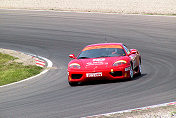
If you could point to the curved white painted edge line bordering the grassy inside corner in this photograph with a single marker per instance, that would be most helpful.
(50, 64)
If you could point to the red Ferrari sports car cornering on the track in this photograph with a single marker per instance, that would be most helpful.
(109, 61)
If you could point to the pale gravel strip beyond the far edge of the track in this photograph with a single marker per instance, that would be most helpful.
(117, 6)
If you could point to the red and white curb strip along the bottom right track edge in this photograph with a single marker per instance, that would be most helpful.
(130, 110)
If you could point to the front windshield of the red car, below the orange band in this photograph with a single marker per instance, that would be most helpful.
(101, 52)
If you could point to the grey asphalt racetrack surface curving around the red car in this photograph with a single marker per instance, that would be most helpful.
(55, 35)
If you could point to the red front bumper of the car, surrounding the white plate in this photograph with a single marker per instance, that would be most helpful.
(107, 74)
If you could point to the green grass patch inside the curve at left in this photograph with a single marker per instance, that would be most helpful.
(11, 71)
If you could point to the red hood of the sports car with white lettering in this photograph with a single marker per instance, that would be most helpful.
(98, 63)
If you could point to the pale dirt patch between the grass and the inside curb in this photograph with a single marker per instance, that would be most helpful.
(22, 58)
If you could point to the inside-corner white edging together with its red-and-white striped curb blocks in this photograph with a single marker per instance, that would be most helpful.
(48, 64)
